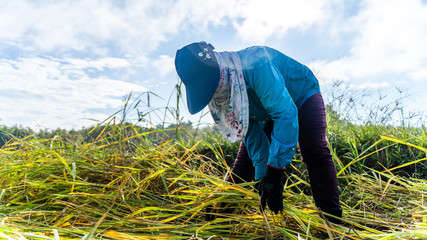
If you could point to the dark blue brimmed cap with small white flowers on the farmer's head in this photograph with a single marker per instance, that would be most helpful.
(198, 69)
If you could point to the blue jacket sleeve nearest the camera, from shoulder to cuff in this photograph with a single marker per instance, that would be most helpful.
(269, 86)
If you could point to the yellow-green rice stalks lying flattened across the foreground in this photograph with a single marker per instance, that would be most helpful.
(123, 186)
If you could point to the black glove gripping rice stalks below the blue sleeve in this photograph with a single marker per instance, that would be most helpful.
(271, 190)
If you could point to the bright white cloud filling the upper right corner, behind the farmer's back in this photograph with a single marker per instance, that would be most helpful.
(391, 38)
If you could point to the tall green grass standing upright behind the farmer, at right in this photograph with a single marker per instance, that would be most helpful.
(359, 123)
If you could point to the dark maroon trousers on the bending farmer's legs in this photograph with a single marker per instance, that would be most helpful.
(315, 154)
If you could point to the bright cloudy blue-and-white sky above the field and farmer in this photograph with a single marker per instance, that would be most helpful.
(70, 64)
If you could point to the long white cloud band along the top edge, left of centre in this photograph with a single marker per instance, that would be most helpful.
(135, 27)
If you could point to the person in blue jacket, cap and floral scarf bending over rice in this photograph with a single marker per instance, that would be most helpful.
(271, 102)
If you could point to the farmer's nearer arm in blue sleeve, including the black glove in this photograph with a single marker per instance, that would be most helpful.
(269, 85)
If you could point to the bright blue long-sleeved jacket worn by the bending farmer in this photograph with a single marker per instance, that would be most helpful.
(277, 86)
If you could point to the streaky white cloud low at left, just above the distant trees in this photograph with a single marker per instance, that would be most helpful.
(59, 92)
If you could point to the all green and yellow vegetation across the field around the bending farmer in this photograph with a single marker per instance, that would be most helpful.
(136, 180)
